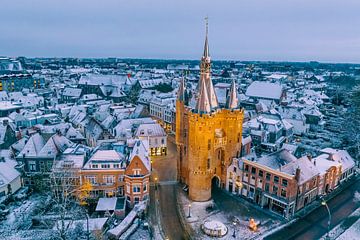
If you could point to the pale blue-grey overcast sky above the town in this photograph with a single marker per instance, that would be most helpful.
(289, 30)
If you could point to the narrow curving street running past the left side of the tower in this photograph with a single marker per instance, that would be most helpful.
(164, 176)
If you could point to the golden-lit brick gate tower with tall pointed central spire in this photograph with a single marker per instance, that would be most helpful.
(207, 136)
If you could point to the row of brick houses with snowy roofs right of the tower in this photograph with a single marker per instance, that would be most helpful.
(283, 183)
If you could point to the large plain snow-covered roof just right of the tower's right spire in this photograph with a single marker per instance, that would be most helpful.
(265, 90)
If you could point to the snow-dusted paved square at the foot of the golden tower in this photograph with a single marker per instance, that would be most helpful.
(226, 210)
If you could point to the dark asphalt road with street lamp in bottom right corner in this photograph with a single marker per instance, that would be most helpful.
(314, 225)
